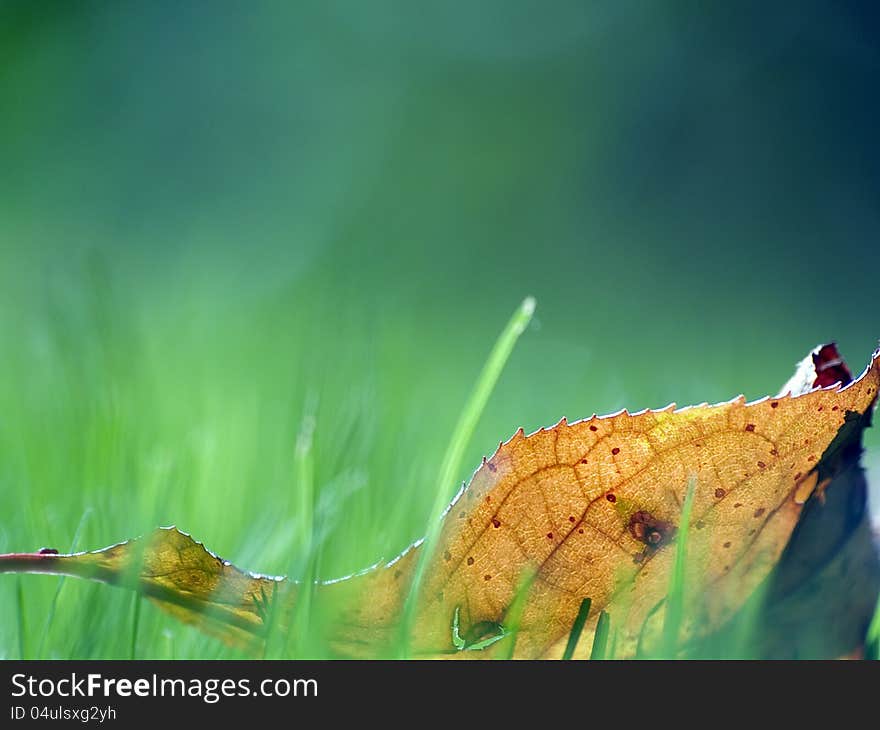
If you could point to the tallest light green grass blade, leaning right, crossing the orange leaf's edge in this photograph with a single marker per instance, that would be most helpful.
(452, 459)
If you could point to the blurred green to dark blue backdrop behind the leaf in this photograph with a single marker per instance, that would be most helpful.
(218, 219)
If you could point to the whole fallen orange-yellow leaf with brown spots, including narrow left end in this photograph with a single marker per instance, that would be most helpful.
(586, 510)
